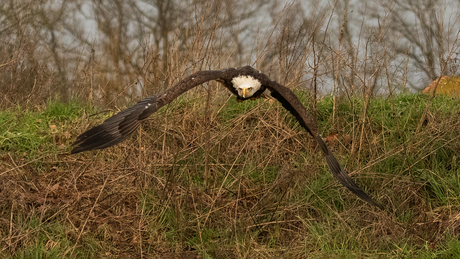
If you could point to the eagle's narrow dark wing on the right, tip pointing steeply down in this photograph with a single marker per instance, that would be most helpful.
(290, 101)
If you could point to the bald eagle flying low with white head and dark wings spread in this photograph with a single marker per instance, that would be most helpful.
(245, 83)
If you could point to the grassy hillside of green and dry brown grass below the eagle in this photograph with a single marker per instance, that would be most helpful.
(233, 180)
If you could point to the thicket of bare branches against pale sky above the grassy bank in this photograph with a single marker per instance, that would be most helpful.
(100, 50)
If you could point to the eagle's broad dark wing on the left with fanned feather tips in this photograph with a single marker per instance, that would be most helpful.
(120, 126)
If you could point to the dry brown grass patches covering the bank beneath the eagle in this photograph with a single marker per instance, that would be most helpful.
(158, 195)
